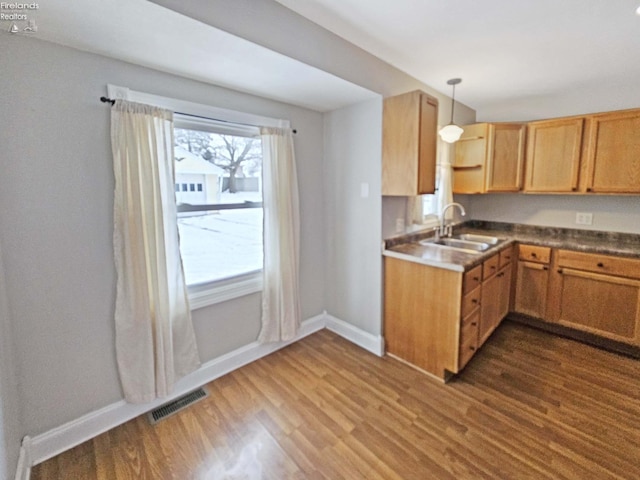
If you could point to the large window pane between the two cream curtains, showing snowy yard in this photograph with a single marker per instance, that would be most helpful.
(220, 215)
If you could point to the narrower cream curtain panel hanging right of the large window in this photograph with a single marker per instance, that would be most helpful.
(280, 294)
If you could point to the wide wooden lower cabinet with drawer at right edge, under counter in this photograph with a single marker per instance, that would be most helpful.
(599, 294)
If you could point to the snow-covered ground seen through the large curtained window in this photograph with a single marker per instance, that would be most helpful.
(223, 244)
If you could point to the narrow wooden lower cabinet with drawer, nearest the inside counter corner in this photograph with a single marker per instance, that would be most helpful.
(532, 281)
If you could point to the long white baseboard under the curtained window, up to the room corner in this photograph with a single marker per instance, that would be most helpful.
(71, 434)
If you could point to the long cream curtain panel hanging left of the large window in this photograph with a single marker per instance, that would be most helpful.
(155, 341)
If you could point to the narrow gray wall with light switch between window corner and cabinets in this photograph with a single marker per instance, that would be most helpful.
(353, 143)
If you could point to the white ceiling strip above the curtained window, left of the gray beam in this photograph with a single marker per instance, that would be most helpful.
(140, 32)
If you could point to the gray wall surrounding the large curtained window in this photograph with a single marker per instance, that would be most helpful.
(56, 223)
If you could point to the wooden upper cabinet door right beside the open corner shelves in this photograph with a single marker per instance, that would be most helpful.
(506, 157)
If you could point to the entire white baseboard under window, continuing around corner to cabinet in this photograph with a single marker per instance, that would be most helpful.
(53, 442)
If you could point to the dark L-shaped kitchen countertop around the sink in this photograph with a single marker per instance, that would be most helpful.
(407, 247)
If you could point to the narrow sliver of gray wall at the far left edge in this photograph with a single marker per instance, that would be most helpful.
(10, 434)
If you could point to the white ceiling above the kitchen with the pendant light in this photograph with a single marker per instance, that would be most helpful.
(502, 49)
